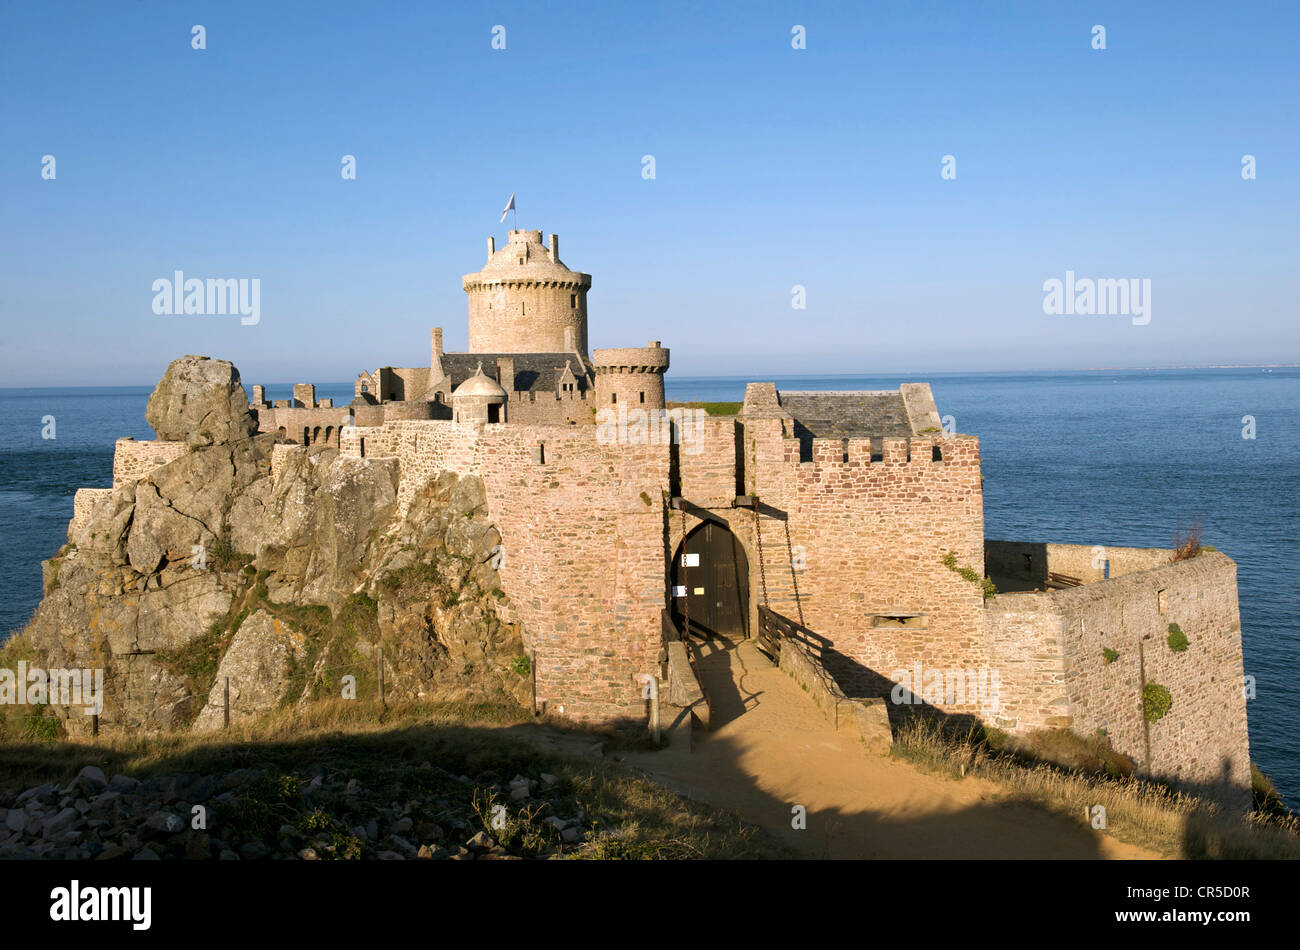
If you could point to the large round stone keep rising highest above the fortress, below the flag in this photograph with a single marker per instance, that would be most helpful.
(526, 301)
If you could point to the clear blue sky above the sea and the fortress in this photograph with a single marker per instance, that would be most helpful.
(774, 168)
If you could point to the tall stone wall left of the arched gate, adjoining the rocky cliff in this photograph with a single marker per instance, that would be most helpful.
(583, 549)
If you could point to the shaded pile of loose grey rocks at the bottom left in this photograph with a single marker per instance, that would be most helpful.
(319, 814)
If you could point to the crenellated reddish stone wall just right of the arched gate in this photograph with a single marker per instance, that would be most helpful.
(865, 541)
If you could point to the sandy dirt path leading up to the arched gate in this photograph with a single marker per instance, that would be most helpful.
(772, 749)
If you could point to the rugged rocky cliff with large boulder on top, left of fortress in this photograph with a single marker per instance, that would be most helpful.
(213, 569)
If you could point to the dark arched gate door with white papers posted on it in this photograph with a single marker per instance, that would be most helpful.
(710, 584)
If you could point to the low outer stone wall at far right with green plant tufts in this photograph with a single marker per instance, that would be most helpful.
(1059, 639)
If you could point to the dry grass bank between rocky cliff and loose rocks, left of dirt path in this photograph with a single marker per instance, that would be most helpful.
(388, 748)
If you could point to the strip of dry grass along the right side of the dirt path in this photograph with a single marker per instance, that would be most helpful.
(1141, 813)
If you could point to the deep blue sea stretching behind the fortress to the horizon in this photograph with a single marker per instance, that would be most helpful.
(1112, 458)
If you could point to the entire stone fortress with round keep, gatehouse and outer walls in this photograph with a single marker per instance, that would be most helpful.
(852, 519)
